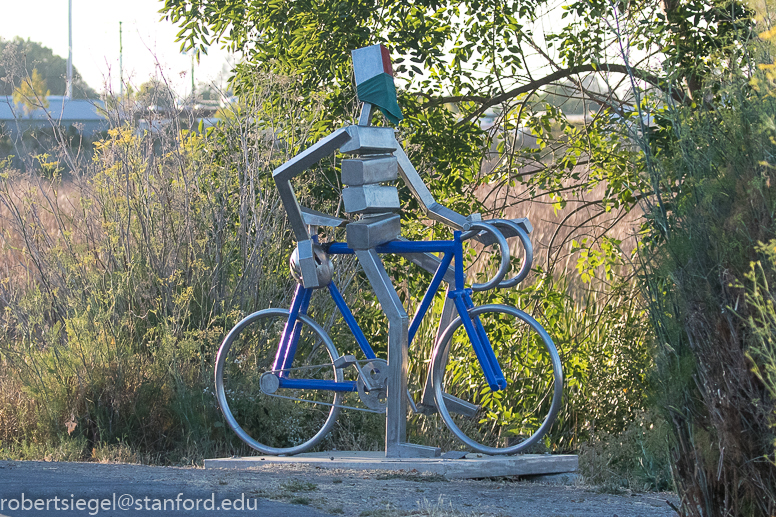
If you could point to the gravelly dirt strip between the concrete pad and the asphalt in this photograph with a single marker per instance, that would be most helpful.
(401, 493)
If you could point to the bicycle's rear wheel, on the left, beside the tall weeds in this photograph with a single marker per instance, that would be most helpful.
(271, 419)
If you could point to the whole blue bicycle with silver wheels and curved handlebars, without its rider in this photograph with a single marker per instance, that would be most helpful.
(495, 376)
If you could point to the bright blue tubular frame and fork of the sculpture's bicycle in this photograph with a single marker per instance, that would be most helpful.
(461, 297)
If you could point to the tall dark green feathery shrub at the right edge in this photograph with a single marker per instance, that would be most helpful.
(714, 201)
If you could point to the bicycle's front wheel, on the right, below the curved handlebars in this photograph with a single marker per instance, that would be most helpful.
(509, 420)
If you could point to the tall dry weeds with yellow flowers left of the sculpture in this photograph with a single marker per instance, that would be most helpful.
(122, 278)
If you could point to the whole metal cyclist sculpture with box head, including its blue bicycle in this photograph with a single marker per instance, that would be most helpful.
(287, 358)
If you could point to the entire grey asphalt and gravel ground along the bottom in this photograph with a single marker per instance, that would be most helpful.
(293, 490)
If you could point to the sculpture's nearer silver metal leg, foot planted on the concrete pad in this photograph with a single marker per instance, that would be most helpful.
(398, 327)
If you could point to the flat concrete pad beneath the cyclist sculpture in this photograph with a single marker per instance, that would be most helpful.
(473, 466)
